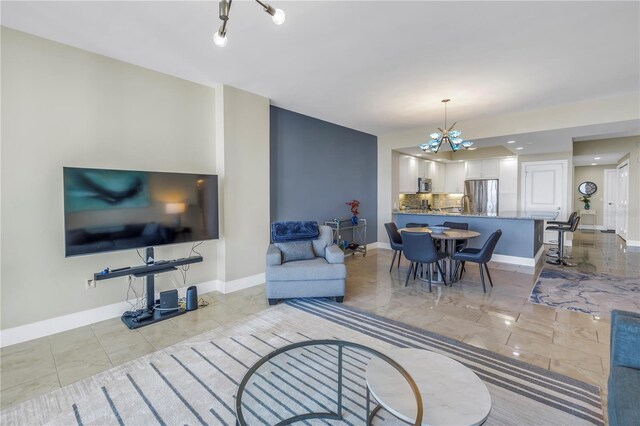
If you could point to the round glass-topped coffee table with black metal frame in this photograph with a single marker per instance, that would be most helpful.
(307, 380)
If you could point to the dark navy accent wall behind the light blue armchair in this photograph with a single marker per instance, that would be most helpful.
(317, 166)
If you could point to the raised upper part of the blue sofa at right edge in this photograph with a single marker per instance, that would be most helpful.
(625, 339)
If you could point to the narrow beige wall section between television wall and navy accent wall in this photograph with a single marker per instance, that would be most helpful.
(245, 178)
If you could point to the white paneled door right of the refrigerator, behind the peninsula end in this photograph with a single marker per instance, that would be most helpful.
(544, 189)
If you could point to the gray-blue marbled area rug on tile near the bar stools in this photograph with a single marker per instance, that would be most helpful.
(593, 293)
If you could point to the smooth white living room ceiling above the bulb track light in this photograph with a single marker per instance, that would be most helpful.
(370, 65)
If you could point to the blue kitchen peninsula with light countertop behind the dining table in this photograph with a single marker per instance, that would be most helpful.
(522, 232)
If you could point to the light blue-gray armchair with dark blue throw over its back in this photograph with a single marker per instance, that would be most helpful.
(322, 275)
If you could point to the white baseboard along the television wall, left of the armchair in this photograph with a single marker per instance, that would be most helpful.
(47, 327)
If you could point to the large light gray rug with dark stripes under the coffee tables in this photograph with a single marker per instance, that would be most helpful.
(194, 382)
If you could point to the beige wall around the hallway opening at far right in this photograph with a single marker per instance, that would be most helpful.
(631, 146)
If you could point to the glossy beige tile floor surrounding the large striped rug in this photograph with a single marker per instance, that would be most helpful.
(502, 320)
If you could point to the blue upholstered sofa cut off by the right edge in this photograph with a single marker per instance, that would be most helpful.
(624, 378)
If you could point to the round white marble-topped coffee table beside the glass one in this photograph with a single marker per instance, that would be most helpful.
(451, 393)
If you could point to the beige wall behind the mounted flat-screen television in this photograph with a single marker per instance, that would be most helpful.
(62, 106)
